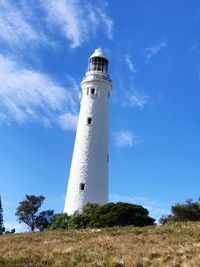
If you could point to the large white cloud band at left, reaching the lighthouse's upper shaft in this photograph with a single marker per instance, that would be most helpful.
(27, 95)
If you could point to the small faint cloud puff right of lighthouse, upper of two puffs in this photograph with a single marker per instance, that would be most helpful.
(135, 98)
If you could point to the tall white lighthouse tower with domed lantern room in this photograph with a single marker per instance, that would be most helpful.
(88, 179)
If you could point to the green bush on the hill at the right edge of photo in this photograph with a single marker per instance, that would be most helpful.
(189, 211)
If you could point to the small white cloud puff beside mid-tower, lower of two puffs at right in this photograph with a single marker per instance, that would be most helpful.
(125, 139)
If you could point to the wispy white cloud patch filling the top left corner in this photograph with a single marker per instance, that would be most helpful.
(15, 28)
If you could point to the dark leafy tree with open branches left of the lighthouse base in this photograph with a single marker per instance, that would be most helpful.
(27, 212)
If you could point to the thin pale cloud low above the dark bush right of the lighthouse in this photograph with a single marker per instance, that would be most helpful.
(156, 209)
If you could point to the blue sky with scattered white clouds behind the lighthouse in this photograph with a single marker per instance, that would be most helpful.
(154, 52)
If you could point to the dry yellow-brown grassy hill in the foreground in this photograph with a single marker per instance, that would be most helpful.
(175, 245)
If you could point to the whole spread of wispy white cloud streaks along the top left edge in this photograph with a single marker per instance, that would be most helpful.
(76, 20)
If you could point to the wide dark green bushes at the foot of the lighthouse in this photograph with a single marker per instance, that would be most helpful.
(108, 215)
